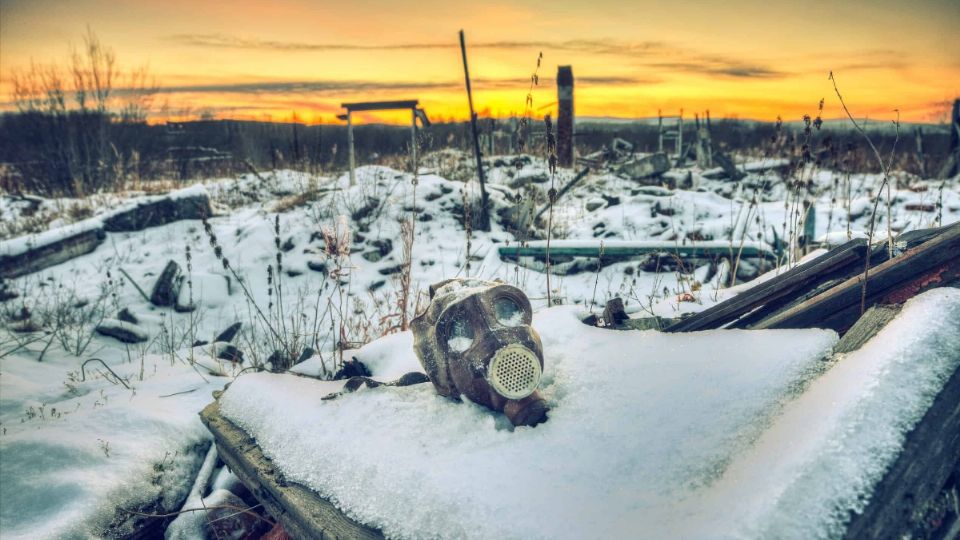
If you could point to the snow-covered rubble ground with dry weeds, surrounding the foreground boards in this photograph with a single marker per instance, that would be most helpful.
(78, 445)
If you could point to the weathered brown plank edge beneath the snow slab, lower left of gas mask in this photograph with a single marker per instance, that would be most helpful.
(303, 512)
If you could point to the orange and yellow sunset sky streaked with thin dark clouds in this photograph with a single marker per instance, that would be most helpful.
(737, 58)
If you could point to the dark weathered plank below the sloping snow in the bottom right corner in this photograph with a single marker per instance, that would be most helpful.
(929, 456)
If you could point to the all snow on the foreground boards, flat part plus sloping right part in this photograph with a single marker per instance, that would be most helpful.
(712, 434)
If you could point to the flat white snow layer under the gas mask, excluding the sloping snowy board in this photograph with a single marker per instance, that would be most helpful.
(639, 422)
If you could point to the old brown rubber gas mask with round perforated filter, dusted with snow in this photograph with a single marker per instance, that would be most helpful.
(475, 340)
